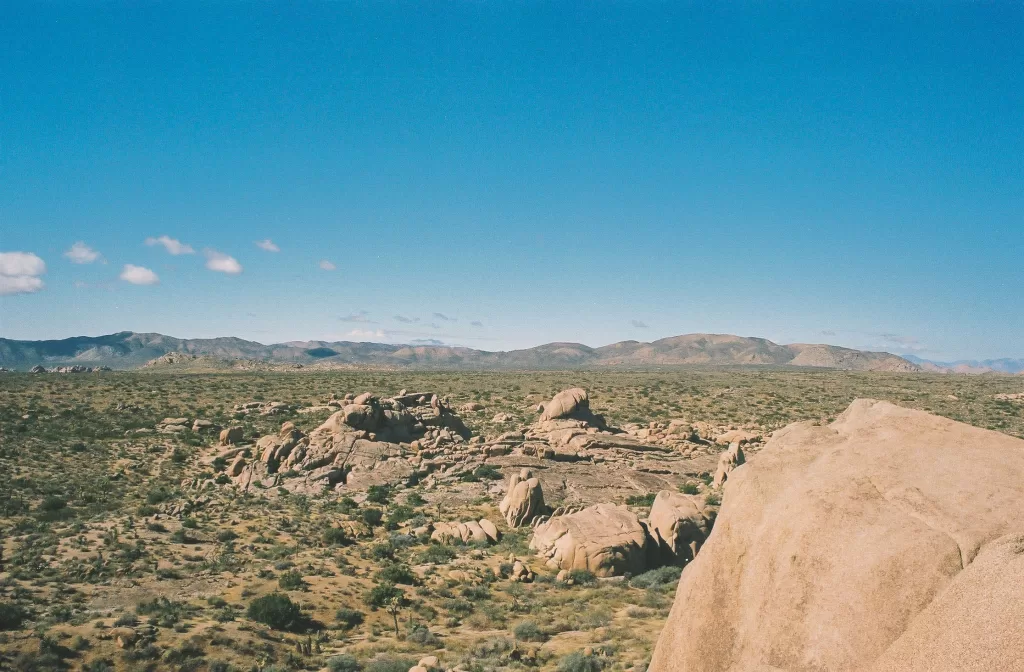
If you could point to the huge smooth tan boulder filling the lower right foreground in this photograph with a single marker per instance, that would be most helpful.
(889, 540)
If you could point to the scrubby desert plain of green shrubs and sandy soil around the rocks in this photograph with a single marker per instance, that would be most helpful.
(126, 551)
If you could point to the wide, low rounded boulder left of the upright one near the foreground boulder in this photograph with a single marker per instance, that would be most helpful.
(606, 539)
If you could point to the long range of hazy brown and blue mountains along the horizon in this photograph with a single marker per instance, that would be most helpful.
(130, 350)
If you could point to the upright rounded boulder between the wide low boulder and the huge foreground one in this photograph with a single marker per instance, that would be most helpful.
(679, 525)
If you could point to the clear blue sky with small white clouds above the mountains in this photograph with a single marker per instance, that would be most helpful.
(828, 173)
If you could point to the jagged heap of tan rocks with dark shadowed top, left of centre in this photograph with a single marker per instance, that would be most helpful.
(367, 440)
